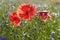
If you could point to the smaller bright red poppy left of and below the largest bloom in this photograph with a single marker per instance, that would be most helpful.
(15, 19)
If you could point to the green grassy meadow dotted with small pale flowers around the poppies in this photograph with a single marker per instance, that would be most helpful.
(34, 29)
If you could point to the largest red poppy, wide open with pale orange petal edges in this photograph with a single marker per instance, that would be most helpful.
(26, 11)
